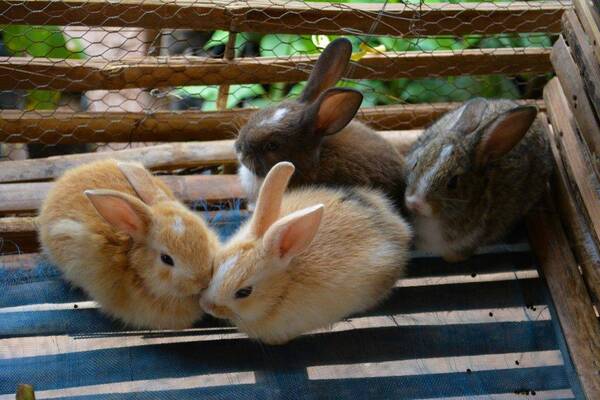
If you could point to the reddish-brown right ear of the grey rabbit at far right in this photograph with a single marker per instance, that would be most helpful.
(503, 133)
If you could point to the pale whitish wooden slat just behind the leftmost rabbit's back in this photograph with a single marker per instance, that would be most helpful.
(164, 157)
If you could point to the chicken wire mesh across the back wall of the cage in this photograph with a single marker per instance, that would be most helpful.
(94, 76)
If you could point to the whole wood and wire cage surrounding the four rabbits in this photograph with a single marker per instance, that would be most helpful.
(169, 83)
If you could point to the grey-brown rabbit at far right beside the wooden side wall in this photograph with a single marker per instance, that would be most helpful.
(473, 174)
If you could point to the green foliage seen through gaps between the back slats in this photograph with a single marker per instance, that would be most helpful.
(50, 42)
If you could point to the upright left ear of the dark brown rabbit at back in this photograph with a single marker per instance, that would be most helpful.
(329, 69)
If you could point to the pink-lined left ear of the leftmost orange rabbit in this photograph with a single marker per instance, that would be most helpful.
(124, 212)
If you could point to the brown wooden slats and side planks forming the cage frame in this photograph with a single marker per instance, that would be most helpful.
(564, 236)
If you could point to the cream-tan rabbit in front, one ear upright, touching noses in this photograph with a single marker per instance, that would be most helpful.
(307, 259)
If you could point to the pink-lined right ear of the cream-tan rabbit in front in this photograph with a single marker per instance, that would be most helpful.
(294, 232)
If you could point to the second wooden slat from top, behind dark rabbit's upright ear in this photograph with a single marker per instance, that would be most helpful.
(153, 72)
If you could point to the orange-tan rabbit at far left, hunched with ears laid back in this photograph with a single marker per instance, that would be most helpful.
(118, 233)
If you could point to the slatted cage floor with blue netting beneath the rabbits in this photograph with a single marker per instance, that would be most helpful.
(479, 329)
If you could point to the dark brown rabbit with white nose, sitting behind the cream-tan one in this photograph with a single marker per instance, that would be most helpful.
(318, 135)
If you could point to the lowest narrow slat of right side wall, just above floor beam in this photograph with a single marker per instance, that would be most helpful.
(585, 244)
